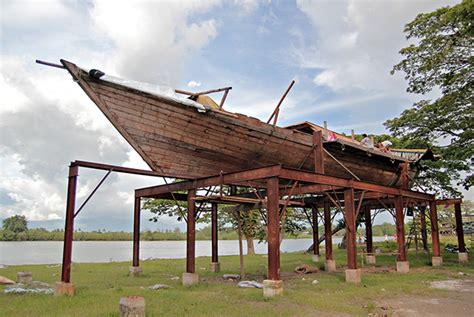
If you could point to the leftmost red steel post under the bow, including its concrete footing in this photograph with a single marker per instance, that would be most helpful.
(65, 287)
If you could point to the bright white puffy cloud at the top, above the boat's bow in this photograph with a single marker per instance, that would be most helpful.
(153, 39)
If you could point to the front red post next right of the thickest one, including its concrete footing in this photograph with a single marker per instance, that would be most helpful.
(353, 275)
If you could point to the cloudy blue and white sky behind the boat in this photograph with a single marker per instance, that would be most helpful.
(340, 54)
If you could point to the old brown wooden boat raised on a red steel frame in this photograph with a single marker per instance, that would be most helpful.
(181, 138)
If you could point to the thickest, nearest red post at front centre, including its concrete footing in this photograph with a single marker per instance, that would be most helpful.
(273, 285)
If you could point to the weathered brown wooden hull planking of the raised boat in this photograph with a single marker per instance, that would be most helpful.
(183, 127)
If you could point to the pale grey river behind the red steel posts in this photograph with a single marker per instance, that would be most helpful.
(50, 252)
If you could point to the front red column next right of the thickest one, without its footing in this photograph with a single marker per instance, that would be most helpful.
(349, 211)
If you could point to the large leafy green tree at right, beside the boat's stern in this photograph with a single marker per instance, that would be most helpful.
(441, 59)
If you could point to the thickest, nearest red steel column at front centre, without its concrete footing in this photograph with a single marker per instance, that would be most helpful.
(273, 229)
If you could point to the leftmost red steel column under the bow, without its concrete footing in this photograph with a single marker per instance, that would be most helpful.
(69, 226)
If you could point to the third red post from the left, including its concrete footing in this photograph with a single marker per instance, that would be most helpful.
(190, 277)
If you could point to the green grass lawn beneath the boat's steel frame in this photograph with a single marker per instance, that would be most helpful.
(100, 286)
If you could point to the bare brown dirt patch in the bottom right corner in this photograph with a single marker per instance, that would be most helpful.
(457, 301)
